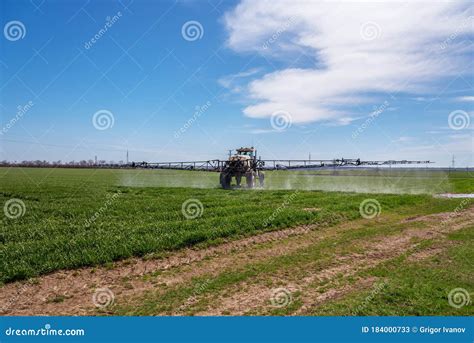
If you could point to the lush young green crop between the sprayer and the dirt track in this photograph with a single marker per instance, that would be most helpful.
(85, 217)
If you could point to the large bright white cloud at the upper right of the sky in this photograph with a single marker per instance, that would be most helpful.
(358, 48)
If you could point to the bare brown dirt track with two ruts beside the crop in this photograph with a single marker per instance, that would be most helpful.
(70, 292)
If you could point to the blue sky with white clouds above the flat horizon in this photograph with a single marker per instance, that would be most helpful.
(292, 78)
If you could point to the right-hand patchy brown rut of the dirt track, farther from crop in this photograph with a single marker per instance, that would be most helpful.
(257, 297)
